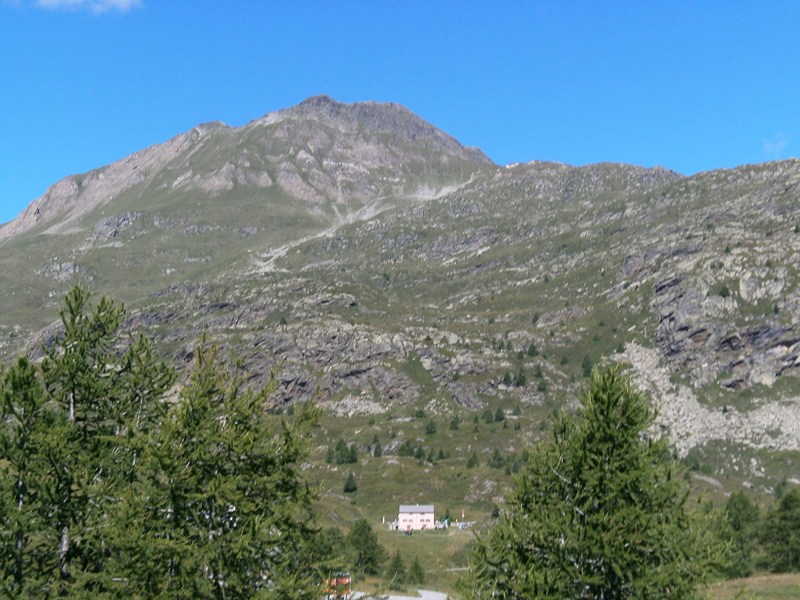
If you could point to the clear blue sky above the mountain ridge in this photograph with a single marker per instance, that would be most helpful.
(691, 86)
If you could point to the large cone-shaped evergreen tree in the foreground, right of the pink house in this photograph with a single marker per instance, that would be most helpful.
(598, 513)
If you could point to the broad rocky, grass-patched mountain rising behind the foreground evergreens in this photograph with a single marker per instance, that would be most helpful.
(384, 265)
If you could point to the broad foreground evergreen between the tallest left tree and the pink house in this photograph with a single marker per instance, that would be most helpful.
(220, 508)
